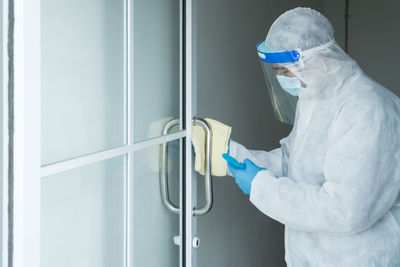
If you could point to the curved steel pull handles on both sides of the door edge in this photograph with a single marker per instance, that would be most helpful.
(208, 178)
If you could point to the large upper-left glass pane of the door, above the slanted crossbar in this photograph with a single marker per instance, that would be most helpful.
(82, 64)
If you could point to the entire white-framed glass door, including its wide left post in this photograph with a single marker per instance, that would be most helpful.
(102, 166)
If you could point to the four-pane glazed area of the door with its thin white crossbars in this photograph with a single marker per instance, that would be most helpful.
(111, 79)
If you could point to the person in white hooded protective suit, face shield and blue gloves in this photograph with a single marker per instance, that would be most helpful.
(334, 182)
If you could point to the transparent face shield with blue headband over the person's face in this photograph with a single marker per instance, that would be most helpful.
(284, 104)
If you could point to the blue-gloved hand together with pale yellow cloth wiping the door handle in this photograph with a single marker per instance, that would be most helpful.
(244, 173)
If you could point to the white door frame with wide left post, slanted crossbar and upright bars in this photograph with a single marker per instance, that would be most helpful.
(26, 170)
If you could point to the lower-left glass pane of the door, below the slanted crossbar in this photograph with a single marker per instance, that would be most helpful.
(82, 217)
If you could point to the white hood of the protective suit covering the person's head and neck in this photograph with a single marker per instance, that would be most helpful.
(323, 66)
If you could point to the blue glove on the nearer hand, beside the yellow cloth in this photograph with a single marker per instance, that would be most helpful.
(244, 176)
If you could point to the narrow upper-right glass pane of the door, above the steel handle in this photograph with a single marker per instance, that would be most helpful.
(156, 66)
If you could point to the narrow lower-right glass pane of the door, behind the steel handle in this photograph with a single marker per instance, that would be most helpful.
(153, 225)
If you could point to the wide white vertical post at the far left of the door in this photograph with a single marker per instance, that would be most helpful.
(24, 248)
